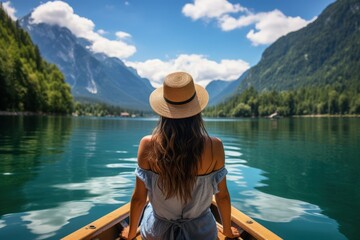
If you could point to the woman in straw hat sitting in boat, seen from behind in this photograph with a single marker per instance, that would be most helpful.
(179, 168)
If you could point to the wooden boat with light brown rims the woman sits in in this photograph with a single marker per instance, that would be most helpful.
(110, 226)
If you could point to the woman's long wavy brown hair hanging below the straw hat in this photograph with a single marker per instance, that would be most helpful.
(177, 148)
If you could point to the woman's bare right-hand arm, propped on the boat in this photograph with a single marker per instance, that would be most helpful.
(223, 197)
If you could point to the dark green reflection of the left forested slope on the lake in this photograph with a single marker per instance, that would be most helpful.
(26, 144)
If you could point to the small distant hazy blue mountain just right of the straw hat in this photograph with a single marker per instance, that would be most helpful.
(219, 90)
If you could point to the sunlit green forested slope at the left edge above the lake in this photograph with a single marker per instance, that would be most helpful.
(27, 82)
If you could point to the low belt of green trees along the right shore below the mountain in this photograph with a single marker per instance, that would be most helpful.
(334, 99)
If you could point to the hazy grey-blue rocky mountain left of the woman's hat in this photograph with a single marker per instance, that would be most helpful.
(92, 76)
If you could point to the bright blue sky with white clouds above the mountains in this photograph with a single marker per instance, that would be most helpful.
(210, 39)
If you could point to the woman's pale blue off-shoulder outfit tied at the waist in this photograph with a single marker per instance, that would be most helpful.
(170, 218)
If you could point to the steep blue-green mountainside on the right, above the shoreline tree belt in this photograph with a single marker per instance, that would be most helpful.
(324, 52)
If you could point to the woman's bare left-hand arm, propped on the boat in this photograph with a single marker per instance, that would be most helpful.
(138, 199)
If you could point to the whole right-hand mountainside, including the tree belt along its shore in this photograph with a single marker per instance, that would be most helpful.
(315, 70)
